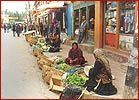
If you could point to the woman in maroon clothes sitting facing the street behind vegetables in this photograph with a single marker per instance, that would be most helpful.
(75, 55)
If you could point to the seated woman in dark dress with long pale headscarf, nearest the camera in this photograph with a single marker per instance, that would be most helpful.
(100, 77)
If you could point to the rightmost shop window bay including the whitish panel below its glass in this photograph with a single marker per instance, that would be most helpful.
(126, 27)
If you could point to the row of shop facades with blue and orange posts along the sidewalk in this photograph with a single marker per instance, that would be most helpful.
(110, 25)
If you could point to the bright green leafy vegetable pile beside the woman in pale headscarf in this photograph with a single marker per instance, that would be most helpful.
(75, 78)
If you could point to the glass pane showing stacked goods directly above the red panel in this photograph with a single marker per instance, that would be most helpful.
(110, 17)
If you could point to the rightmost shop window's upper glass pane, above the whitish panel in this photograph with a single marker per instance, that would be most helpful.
(127, 17)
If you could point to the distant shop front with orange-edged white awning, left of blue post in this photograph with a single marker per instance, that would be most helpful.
(55, 11)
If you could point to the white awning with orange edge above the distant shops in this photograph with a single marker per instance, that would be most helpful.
(51, 5)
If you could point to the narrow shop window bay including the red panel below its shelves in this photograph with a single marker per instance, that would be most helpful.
(110, 23)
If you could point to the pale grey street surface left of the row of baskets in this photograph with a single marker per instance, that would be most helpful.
(21, 77)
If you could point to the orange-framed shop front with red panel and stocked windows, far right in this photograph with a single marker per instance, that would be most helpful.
(119, 20)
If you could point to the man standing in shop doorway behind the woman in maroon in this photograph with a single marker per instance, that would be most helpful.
(82, 30)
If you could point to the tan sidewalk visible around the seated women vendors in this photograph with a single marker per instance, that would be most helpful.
(117, 70)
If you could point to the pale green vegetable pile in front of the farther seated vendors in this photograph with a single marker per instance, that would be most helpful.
(42, 44)
